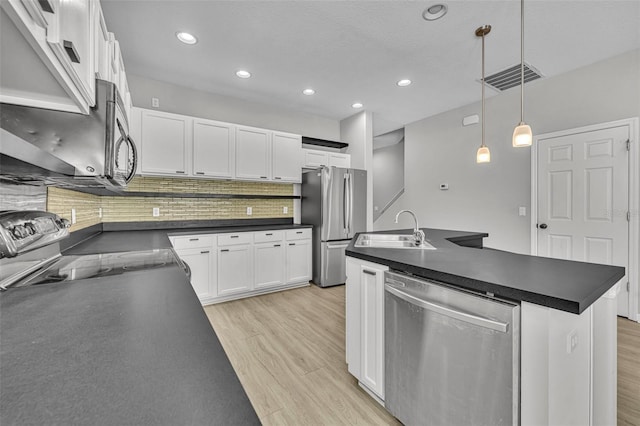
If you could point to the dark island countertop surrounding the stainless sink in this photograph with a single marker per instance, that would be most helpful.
(560, 284)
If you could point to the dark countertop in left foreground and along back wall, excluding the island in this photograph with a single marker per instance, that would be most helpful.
(131, 349)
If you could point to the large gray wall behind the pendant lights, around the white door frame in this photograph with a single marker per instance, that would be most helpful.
(486, 197)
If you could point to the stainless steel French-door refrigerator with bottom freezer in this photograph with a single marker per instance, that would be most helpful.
(334, 201)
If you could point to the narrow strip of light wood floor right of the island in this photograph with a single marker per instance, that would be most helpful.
(628, 373)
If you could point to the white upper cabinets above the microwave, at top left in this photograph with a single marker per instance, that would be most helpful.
(52, 51)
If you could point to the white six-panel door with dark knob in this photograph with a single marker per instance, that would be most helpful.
(583, 199)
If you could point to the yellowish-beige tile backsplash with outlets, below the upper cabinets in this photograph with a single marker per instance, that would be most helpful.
(134, 208)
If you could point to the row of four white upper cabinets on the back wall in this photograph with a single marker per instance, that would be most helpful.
(173, 144)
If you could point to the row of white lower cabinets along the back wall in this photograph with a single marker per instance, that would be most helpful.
(232, 266)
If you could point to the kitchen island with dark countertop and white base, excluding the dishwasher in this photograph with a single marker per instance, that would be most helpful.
(567, 334)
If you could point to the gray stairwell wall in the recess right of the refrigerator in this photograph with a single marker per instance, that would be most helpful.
(388, 175)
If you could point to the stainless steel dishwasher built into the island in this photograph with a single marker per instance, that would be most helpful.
(452, 357)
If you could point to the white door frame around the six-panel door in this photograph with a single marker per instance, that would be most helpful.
(634, 197)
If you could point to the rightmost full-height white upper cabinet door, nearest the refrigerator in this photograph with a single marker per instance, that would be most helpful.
(287, 157)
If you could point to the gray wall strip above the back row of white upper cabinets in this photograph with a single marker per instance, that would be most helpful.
(183, 100)
